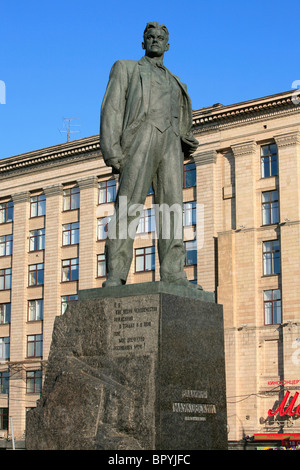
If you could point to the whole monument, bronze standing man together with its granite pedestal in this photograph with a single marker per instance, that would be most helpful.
(139, 366)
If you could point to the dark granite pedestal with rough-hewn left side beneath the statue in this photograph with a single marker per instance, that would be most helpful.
(138, 367)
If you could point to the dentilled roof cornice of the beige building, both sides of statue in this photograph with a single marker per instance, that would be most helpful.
(204, 120)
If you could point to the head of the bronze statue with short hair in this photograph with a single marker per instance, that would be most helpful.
(156, 39)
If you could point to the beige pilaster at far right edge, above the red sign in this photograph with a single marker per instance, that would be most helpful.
(288, 145)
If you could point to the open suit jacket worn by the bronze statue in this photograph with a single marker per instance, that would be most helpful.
(125, 106)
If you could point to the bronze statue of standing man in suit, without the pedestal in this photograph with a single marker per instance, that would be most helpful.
(145, 131)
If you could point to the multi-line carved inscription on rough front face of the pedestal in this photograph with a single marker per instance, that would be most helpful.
(134, 326)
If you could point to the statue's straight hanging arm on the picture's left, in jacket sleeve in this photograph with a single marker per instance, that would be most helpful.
(112, 115)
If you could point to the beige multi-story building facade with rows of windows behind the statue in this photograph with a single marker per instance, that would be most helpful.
(241, 228)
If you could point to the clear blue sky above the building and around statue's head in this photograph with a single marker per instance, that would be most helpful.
(56, 56)
